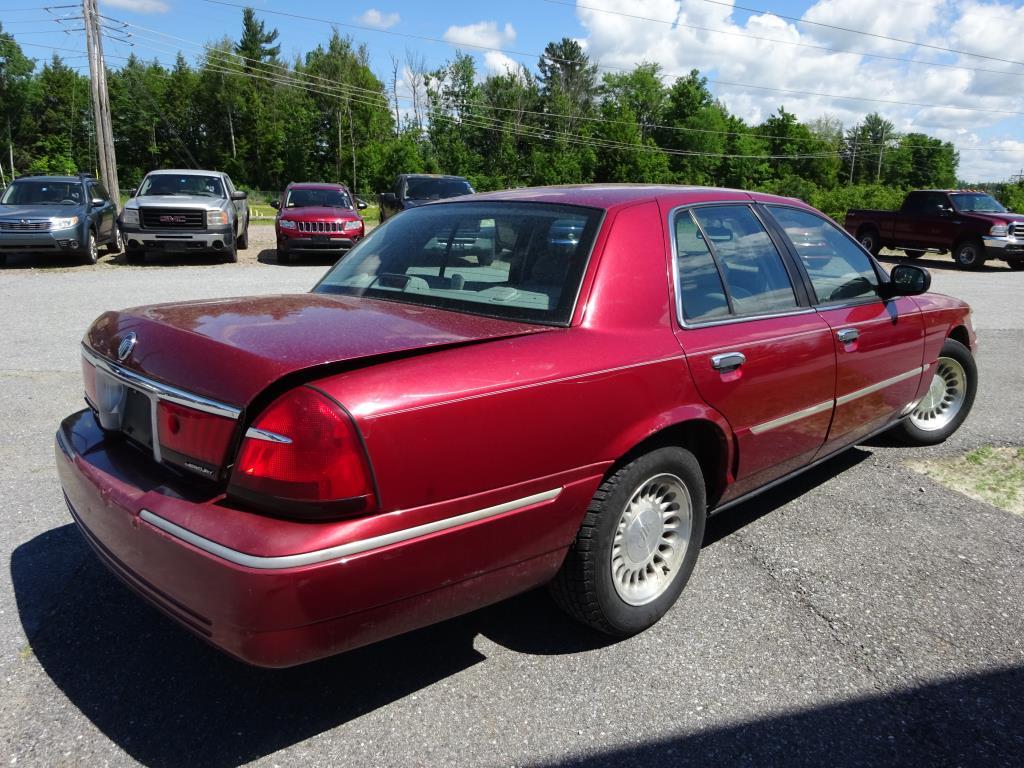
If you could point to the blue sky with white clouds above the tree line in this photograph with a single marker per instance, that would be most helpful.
(757, 61)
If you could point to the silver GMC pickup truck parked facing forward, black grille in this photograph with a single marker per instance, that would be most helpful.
(186, 211)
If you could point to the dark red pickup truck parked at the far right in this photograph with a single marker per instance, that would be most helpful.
(973, 226)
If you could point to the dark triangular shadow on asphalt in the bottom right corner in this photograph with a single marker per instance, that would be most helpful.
(972, 720)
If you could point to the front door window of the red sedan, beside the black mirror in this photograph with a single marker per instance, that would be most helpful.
(839, 270)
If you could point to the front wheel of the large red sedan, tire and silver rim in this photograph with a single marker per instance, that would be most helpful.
(948, 402)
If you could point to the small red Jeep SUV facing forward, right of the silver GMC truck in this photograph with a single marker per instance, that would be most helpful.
(314, 219)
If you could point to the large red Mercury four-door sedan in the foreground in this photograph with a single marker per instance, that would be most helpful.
(490, 395)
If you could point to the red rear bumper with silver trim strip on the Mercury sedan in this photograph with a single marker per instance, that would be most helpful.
(302, 591)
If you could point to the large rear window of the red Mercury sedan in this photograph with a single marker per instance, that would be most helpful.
(515, 261)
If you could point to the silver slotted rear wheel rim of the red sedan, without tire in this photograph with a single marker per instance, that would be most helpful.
(652, 539)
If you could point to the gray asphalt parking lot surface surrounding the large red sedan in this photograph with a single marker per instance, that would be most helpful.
(861, 615)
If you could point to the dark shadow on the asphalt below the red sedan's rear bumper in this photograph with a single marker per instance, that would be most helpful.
(169, 700)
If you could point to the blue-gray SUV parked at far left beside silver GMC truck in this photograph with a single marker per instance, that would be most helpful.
(58, 216)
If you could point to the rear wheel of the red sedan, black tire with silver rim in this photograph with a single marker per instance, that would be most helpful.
(617, 535)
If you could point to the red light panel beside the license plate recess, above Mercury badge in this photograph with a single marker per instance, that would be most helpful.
(194, 439)
